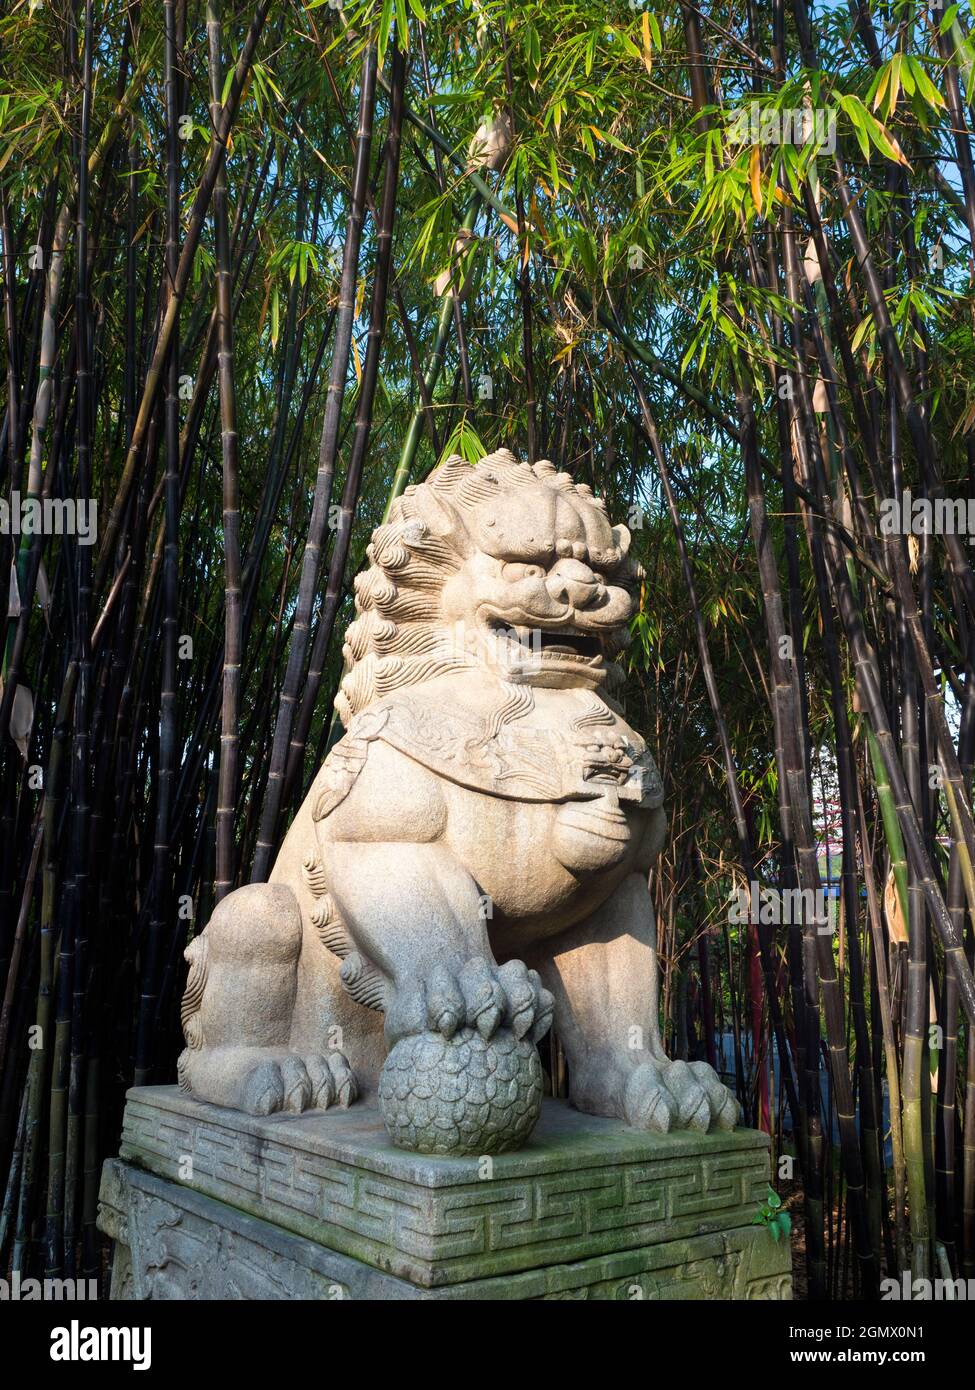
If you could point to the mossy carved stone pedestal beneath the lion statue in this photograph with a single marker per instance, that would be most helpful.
(207, 1203)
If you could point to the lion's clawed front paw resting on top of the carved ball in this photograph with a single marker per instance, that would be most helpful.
(479, 996)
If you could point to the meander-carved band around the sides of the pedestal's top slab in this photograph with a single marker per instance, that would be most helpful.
(621, 1206)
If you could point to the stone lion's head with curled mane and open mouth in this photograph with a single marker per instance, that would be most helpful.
(501, 565)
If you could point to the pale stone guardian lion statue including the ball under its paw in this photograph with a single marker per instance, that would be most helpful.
(472, 858)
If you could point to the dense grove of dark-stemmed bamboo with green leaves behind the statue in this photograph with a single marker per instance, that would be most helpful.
(259, 273)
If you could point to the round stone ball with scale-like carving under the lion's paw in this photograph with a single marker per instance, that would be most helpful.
(461, 1095)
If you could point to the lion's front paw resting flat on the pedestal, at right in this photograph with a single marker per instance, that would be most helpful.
(668, 1096)
